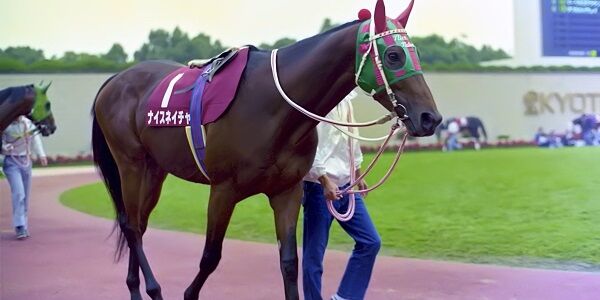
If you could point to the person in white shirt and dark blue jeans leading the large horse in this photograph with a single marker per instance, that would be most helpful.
(329, 174)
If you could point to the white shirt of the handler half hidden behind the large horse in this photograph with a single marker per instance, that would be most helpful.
(333, 155)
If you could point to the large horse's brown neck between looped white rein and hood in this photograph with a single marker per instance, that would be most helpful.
(317, 73)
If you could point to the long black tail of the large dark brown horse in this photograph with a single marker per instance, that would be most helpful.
(105, 162)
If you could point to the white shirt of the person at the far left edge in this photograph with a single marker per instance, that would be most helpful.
(14, 141)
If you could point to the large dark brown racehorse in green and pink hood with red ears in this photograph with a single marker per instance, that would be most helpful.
(260, 145)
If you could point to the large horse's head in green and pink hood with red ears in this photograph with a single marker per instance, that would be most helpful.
(388, 67)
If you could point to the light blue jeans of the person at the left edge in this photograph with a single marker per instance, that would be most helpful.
(19, 179)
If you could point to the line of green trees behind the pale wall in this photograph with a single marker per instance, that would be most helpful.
(436, 54)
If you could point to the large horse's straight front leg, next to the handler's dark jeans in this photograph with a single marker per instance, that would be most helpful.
(286, 206)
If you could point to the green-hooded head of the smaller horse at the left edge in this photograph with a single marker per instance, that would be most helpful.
(41, 114)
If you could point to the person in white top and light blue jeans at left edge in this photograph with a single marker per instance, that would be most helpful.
(18, 139)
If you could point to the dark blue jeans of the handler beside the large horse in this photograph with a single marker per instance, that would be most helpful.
(317, 222)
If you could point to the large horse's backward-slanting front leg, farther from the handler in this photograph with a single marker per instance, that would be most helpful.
(220, 208)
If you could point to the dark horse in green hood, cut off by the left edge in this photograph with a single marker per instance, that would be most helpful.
(30, 101)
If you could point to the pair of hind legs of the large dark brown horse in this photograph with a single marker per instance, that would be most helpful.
(141, 190)
